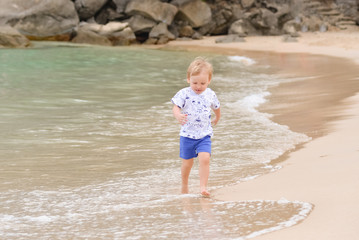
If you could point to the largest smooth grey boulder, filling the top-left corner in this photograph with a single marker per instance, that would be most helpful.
(40, 19)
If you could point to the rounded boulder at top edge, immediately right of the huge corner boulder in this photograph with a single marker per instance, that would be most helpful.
(88, 8)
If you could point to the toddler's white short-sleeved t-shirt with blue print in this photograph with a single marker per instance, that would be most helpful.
(198, 109)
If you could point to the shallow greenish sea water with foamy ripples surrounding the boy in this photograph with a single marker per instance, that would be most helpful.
(89, 146)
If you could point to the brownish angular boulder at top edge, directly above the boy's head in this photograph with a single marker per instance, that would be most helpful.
(197, 13)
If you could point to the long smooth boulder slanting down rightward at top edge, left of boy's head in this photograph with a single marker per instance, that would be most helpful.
(152, 9)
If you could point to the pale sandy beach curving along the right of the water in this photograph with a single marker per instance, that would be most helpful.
(322, 172)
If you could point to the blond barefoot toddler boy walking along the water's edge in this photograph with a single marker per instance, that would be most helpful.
(192, 108)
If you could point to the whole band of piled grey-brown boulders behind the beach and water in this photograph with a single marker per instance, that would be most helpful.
(125, 22)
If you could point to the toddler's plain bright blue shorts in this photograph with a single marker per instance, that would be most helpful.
(189, 148)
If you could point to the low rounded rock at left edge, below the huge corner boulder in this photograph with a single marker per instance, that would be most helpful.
(10, 37)
